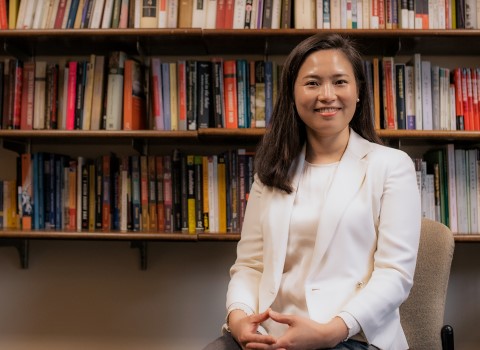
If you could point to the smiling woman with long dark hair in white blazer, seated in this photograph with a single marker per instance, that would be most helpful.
(330, 237)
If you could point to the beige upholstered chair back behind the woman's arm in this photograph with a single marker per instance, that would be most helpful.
(422, 313)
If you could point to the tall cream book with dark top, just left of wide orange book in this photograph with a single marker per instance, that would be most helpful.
(114, 112)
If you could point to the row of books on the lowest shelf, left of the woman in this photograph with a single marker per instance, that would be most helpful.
(157, 193)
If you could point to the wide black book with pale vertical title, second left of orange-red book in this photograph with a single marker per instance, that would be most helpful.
(204, 94)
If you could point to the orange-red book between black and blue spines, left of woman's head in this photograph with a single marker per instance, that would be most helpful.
(230, 93)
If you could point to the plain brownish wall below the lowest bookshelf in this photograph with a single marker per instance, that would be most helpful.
(92, 295)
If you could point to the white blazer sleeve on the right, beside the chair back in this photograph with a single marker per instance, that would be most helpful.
(397, 245)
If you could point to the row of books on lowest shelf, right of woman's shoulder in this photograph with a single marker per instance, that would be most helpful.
(449, 183)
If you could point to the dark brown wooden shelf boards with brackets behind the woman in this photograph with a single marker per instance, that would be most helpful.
(196, 43)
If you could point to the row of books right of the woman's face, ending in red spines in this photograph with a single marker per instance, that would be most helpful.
(420, 95)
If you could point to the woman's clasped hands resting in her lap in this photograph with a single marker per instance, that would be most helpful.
(302, 333)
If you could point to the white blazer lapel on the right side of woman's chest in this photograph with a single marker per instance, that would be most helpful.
(345, 185)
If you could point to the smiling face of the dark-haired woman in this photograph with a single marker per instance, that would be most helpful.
(326, 92)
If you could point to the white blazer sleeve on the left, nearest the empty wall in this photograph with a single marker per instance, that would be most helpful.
(246, 272)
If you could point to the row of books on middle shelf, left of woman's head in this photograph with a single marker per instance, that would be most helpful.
(123, 93)
